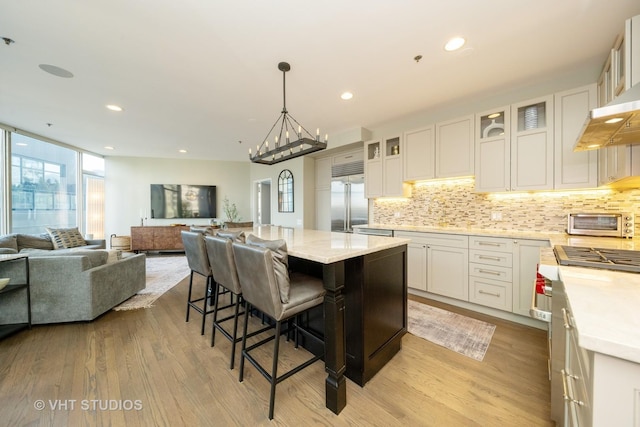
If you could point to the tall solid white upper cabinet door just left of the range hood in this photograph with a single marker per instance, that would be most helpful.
(573, 169)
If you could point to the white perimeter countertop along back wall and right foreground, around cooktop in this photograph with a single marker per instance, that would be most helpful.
(605, 304)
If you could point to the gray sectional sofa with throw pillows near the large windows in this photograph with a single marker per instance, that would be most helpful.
(69, 285)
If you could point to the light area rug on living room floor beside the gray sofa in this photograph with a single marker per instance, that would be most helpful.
(163, 273)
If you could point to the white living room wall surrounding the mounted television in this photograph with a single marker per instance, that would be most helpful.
(128, 179)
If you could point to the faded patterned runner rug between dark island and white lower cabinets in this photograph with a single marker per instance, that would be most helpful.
(464, 335)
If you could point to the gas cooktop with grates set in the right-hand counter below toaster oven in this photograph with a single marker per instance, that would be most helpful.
(610, 259)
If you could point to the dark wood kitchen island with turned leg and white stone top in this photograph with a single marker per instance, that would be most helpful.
(365, 307)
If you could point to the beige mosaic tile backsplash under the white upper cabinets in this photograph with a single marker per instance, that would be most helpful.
(455, 204)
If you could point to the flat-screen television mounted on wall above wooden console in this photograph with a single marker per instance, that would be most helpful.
(183, 201)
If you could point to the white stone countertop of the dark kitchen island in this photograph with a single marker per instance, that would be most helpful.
(326, 247)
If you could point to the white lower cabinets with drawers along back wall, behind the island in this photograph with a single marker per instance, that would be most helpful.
(495, 272)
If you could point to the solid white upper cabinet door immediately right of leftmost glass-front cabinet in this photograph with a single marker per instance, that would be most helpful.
(419, 154)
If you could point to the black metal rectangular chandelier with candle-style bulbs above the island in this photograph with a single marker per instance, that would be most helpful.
(290, 139)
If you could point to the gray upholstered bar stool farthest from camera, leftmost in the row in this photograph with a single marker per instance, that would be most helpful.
(196, 252)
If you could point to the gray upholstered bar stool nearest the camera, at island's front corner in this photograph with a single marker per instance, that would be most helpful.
(267, 286)
